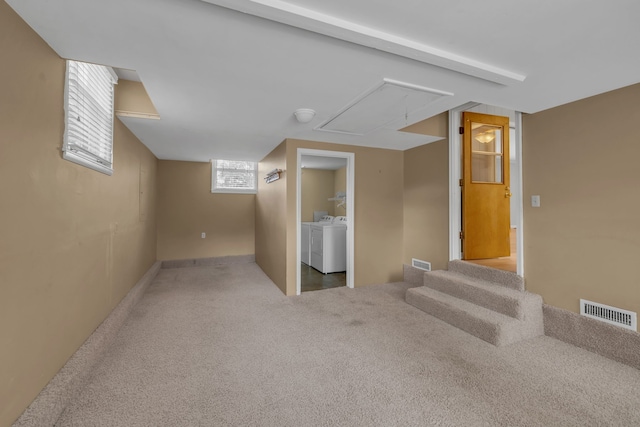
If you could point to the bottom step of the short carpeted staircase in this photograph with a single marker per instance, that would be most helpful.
(490, 326)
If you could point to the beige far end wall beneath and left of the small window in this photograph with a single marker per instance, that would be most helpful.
(187, 208)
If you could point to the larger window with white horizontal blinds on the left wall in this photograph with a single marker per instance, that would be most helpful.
(72, 151)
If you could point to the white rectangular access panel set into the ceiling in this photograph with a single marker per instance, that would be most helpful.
(381, 105)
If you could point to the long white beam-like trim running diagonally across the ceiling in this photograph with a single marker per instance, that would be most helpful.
(332, 26)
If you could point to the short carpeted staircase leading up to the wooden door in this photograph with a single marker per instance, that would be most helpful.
(487, 303)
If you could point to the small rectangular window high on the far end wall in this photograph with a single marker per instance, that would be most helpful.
(234, 176)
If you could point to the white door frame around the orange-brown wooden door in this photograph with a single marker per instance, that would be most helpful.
(455, 192)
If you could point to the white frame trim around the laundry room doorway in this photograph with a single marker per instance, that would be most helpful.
(350, 157)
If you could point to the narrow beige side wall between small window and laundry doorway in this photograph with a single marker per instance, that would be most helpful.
(271, 218)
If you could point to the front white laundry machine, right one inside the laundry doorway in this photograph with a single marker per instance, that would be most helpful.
(329, 246)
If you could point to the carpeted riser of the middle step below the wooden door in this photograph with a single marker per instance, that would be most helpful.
(500, 303)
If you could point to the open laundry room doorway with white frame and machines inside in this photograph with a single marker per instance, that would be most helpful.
(325, 228)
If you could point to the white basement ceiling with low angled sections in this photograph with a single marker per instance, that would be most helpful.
(226, 82)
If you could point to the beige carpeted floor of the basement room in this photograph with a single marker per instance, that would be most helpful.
(221, 346)
